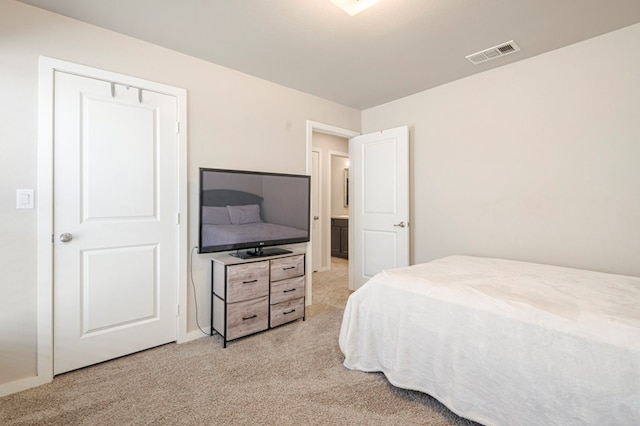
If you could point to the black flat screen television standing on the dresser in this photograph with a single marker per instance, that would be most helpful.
(252, 210)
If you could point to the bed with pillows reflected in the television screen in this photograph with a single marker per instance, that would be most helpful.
(230, 217)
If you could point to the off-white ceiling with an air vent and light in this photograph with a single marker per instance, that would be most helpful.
(394, 49)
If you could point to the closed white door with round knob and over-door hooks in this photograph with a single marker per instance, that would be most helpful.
(115, 220)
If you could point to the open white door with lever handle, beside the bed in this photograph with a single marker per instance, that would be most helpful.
(379, 179)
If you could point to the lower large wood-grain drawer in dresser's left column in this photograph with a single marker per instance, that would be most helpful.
(248, 317)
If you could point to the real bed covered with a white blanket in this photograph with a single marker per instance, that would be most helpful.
(503, 342)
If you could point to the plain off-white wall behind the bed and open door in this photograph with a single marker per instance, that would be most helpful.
(538, 160)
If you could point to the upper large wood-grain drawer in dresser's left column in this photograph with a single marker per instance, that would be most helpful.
(247, 281)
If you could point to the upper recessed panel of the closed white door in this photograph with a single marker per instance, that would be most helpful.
(105, 148)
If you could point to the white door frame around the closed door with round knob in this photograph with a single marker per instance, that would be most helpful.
(45, 150)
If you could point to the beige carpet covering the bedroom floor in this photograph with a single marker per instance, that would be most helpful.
(291, 375)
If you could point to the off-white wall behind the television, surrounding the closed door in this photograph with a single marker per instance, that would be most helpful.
(232, 124)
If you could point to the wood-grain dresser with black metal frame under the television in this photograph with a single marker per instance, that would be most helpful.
(253, 295)
